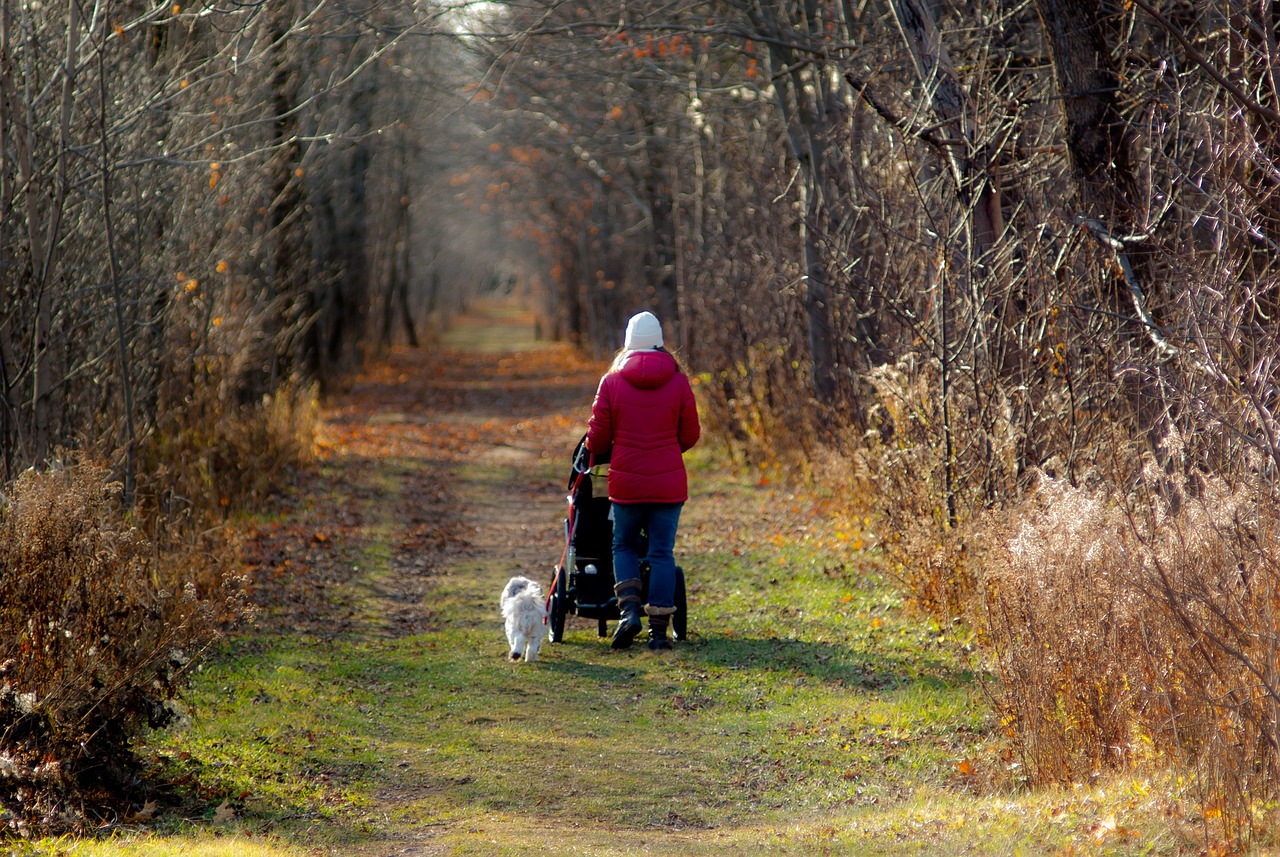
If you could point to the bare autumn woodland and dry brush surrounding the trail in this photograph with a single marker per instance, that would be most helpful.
(1007, 269)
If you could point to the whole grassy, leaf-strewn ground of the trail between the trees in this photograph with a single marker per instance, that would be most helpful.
(371, 711)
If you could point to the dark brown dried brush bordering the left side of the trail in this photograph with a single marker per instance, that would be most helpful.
(106, 604)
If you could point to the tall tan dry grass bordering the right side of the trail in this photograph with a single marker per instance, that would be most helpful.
(1128, 613)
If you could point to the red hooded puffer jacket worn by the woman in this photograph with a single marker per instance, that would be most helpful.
(644, 418)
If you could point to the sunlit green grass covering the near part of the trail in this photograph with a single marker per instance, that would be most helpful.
(810, 714)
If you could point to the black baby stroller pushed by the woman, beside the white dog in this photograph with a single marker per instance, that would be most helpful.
(583, 583)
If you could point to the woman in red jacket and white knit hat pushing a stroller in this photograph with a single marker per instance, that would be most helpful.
(644, 419)
